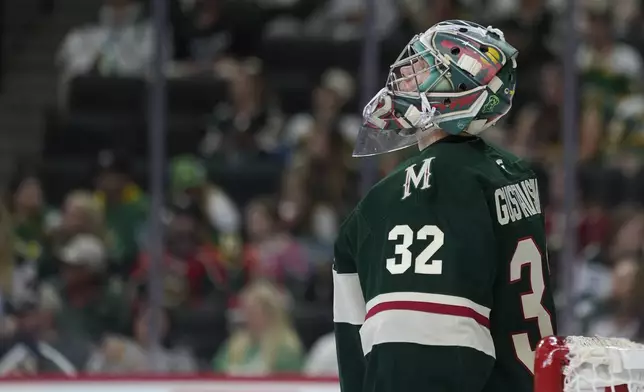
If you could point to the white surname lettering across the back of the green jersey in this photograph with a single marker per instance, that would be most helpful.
(517, 201)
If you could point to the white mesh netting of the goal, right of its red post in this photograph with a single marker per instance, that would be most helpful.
(603, 364)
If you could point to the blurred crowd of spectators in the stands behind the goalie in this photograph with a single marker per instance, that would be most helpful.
(257, 187)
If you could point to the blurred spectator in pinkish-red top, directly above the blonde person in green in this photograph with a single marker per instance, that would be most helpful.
(271, 251)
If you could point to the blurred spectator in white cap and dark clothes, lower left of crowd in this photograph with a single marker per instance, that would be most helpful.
(84, 301)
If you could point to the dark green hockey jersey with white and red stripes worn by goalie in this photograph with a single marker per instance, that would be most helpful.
(441, 276)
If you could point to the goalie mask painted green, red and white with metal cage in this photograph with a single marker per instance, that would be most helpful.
(457, 76)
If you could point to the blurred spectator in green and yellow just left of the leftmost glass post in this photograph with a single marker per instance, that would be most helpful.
(124, 208)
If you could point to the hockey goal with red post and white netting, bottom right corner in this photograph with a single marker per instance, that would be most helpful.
(589, 364)
